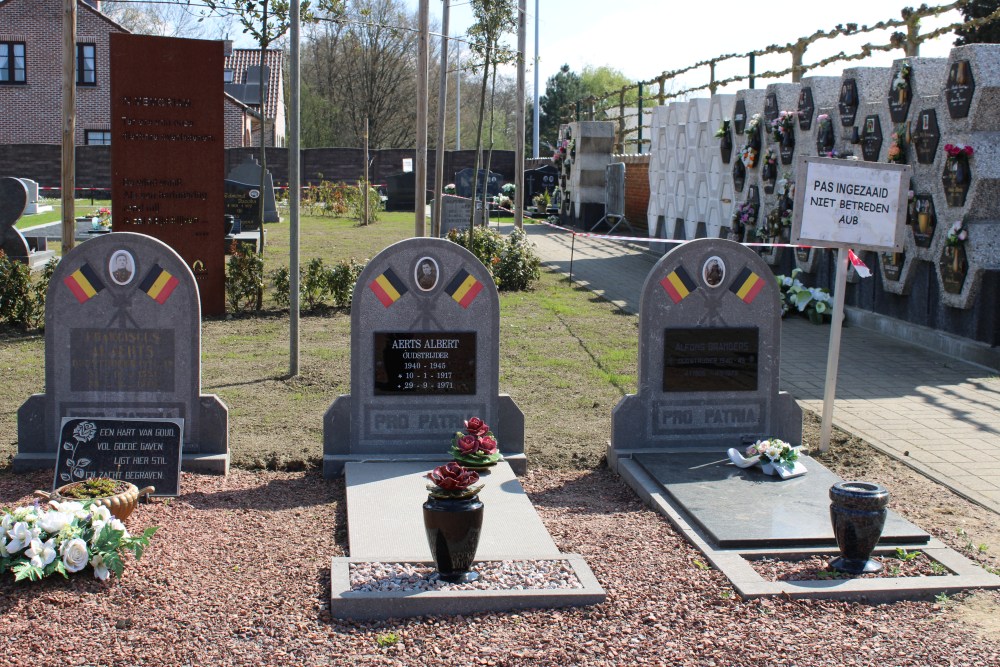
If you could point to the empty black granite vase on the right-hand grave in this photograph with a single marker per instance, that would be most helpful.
(858, 511)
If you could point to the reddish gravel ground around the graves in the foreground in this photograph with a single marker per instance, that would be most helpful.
(239, 575)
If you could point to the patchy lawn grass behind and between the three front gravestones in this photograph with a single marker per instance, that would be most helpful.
(566, 357)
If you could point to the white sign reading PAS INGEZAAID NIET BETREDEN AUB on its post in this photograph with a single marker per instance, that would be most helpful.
(847, 204)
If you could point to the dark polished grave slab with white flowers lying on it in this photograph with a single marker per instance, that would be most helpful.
(744, 508)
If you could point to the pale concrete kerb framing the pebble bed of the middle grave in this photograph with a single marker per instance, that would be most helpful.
(370, 606)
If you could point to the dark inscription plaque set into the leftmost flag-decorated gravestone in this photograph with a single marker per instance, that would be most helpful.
(122, 360)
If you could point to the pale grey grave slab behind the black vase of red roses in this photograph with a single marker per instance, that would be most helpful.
(394, 531)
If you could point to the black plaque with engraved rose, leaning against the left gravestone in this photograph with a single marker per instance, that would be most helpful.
(144, 452)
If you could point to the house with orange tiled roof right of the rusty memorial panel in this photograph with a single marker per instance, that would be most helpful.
(243, 81)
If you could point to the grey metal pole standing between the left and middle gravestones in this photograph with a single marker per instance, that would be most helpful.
(294, 193)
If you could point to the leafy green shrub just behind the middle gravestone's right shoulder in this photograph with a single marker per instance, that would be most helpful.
(511, 261)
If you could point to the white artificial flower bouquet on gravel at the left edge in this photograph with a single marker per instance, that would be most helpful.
(36, 541)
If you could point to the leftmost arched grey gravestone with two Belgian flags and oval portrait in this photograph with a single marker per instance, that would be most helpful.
(123, 341)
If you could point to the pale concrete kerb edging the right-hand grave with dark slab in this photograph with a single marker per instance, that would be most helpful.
(735, 565)
